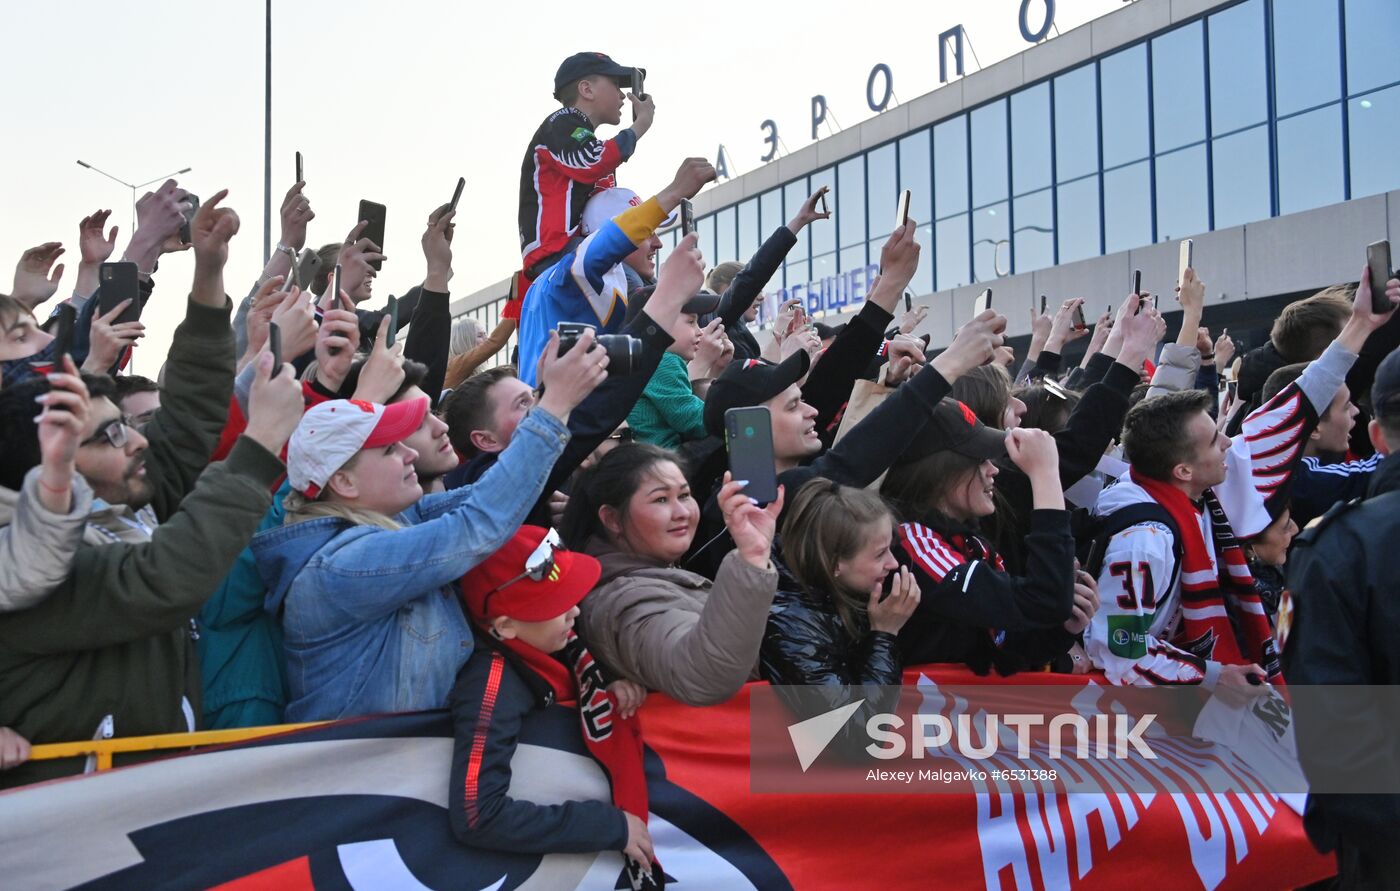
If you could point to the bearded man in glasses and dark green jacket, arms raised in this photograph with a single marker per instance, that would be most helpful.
(111, 651)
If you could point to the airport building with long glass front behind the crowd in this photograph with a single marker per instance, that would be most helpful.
(1266, 131)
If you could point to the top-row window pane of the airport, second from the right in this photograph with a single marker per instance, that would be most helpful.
(1307, 55)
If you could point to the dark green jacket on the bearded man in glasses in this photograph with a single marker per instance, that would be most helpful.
(110, 652)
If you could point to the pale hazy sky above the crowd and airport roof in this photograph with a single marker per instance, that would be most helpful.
(394, 102)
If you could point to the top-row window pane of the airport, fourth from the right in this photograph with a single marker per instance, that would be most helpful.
(1179, 89)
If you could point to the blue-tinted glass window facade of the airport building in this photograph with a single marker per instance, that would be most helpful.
(1254, 110)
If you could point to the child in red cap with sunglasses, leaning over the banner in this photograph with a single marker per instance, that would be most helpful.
(526, 599)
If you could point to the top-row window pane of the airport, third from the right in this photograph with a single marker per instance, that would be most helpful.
(1240, 72)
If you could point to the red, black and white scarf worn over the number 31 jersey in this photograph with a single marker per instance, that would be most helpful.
(1223, 616)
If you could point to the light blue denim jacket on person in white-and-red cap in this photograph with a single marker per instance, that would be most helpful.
(372, 617)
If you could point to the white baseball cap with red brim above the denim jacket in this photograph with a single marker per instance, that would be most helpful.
(334, 432)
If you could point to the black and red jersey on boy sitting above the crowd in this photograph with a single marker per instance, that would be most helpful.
(563, 166)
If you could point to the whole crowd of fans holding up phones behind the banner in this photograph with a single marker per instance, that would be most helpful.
(379, 525)
